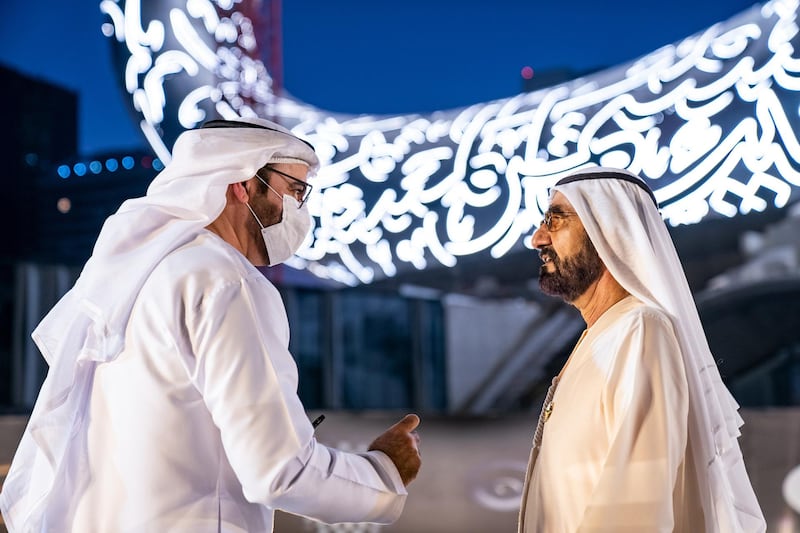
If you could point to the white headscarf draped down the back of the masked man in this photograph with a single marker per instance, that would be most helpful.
(87, 326)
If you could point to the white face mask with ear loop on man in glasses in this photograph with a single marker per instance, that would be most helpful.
(285, 238)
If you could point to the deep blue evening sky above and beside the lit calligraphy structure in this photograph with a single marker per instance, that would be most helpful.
(367, 56)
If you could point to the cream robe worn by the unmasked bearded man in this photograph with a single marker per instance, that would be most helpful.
(613, 456)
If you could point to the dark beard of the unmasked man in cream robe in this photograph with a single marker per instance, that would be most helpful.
(571, 276)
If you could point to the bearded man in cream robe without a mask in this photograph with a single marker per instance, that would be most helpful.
(637, 432)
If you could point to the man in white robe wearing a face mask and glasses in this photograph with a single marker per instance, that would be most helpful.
(170, 403)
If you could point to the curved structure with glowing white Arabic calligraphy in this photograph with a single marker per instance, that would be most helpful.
(710, 122)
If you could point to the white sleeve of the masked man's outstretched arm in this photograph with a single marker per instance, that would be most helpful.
(248, 380)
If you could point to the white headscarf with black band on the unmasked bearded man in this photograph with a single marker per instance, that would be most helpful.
(622, 220)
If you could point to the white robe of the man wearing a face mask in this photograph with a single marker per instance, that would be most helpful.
(197, 425)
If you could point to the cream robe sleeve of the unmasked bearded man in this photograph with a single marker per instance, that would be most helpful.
(646, 408)
